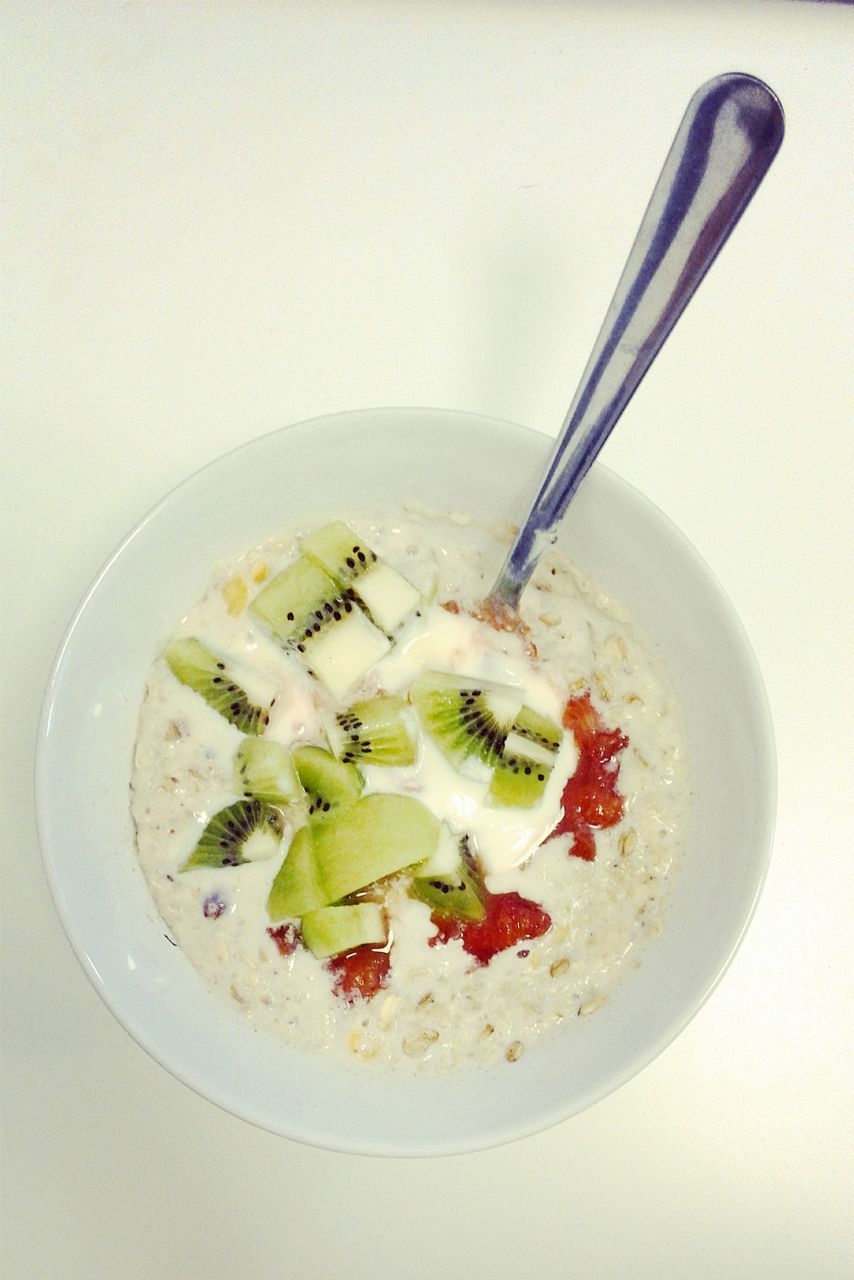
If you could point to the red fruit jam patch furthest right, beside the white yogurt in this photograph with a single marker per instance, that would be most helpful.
(591, 798)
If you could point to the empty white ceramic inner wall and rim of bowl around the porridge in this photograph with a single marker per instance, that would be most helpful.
(325, 468)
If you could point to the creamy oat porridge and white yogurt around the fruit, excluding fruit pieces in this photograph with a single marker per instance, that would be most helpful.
(440, 1009)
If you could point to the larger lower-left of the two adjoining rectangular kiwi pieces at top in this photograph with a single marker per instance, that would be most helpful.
(307, 612)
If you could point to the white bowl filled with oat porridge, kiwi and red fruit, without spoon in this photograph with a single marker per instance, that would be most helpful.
(353, 858)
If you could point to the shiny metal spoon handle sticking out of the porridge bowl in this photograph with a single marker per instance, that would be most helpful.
(729, 136)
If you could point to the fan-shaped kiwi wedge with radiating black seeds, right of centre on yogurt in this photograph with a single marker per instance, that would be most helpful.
(464, 716)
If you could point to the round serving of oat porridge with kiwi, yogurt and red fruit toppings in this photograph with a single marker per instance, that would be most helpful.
(382, 828)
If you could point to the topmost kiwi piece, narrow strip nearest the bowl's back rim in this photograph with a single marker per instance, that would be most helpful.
(385, 593)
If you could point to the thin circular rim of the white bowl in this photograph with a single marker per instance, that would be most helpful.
(766, 816)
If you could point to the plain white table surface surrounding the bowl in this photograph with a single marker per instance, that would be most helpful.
(222, 218)
